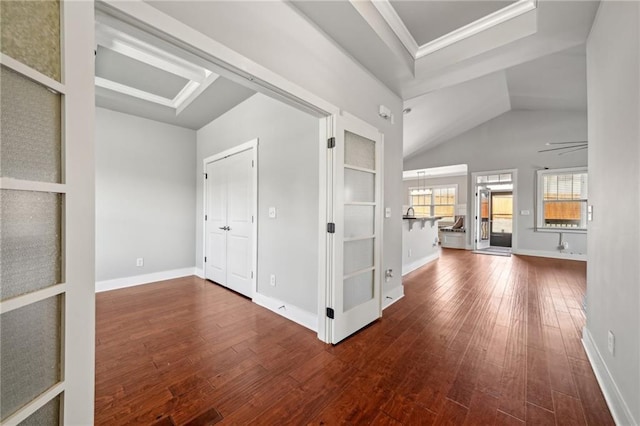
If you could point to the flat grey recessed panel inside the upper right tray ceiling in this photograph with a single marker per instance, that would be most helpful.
(429, 20)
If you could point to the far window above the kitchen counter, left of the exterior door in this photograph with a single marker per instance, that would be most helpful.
(435, 201)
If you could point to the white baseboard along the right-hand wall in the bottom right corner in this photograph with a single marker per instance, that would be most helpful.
(617, 405)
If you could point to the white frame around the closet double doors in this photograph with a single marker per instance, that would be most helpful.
(252, 146)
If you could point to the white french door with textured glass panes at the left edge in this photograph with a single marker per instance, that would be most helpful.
(47, 256)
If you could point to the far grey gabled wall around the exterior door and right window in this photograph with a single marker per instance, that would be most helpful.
(512, 141)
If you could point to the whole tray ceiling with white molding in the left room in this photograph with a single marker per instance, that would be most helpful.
(142, 75)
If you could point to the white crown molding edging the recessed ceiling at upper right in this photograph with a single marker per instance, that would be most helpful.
(394, 21)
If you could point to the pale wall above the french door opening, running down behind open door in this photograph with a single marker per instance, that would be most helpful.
(276, 36)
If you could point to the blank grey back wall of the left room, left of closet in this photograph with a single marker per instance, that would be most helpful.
(145, 196)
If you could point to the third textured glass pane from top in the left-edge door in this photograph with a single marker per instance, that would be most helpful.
(30, 248)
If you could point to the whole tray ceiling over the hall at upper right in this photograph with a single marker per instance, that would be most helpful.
(532, 58)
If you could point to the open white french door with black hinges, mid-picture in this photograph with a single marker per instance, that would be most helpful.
(355, 228)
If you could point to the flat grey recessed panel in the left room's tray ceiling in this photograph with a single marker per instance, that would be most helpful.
(122, 69)
